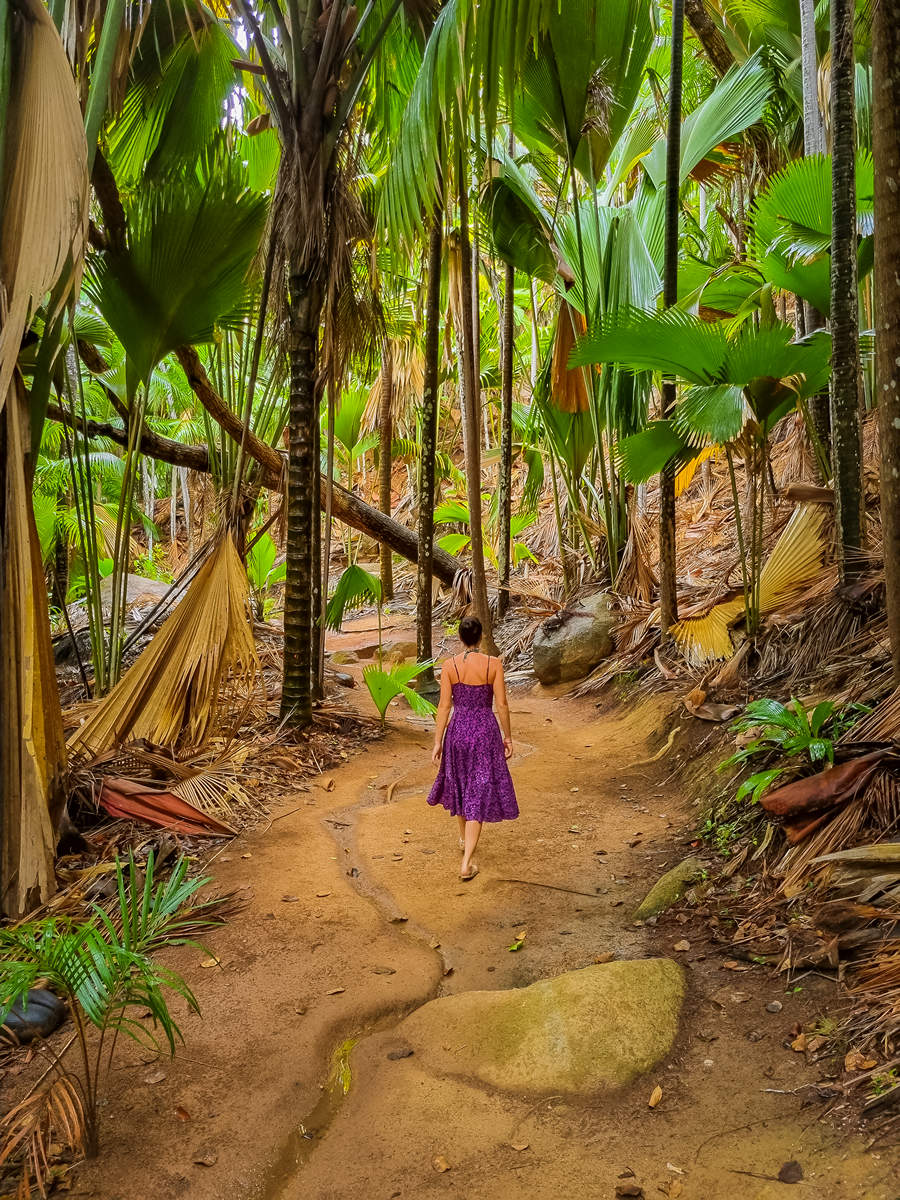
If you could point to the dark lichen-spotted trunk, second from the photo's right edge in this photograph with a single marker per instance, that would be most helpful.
(847, 451)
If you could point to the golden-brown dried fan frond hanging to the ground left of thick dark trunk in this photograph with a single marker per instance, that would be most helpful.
(205, 652)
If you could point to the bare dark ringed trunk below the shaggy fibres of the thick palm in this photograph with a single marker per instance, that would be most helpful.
(305, 314)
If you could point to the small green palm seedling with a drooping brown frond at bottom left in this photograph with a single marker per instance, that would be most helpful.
(105, 971)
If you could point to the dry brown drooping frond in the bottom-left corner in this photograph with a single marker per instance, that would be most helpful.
(52, 1115)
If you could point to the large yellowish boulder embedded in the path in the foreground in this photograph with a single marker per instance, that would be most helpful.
(580, 1034)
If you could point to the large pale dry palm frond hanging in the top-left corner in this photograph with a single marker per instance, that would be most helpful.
(44, 211)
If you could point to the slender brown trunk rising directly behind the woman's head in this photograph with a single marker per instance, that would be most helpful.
(471, 421)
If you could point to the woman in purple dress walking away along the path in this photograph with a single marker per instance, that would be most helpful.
(473, 781)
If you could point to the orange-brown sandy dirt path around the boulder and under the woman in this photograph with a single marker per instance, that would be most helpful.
(356, 917)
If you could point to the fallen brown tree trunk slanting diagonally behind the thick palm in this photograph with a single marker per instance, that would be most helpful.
(346, 507)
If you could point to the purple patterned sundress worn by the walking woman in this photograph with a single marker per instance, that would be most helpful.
(473, 779)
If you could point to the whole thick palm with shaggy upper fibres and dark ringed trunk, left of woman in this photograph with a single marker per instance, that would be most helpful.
(315, 59)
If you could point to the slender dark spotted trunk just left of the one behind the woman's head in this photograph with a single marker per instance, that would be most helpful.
(430, 446)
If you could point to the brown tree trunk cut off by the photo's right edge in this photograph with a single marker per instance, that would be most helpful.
(886, 147)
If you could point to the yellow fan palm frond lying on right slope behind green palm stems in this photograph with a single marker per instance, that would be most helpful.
(795, 561)
